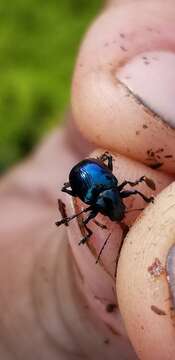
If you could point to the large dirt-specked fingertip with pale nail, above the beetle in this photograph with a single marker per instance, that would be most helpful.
(125, 64)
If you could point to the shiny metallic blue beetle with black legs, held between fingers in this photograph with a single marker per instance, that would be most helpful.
(93, 181)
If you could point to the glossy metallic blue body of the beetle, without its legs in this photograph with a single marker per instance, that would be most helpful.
(94, 183)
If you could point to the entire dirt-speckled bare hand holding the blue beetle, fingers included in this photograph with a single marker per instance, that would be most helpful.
(53, 297)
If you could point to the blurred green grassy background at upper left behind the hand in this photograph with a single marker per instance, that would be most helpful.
(39, 40)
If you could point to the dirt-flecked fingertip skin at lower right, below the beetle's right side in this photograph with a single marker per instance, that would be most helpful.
(142, 285)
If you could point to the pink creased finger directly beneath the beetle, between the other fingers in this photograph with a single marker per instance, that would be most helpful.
(99, 279)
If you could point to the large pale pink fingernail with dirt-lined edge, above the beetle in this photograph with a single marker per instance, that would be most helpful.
(151, 77)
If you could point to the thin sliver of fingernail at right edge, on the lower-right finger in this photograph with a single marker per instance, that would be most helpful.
(170, 268)
